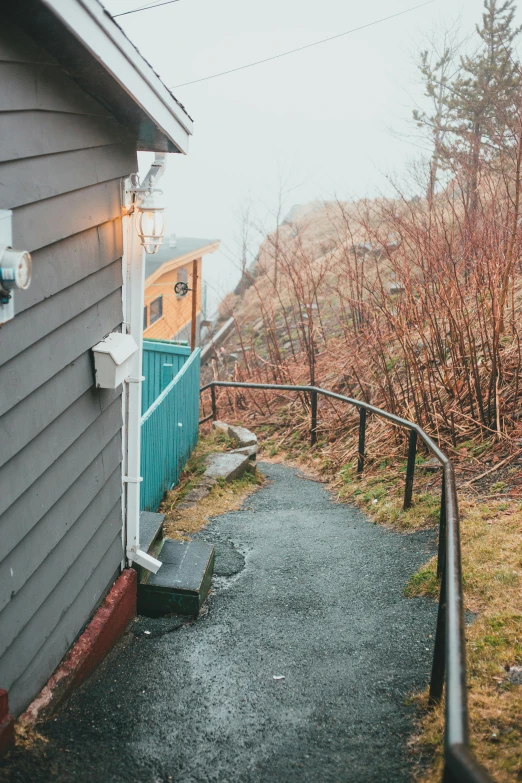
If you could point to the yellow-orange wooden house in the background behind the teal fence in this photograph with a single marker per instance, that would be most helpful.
(166, 314)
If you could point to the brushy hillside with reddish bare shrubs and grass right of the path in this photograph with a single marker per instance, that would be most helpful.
(395, 303)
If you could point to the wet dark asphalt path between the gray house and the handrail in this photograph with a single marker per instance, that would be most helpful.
(298, 669)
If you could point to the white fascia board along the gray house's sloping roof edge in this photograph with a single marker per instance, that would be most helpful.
(102, 36)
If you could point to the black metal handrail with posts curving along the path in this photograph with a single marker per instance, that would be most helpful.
(449, 662)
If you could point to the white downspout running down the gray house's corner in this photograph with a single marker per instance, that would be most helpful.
(134, 294)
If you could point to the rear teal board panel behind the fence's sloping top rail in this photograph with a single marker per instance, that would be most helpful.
(162, 361)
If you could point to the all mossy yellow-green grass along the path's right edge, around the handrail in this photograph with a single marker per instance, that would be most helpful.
(492, 576)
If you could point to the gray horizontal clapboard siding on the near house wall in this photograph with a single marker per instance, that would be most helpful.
(62, 158)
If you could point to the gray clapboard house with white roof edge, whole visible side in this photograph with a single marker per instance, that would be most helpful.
(77, 101)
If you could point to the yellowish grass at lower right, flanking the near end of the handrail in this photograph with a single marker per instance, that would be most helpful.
(492, 569)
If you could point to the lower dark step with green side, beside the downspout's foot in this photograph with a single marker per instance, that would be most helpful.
(182, 583)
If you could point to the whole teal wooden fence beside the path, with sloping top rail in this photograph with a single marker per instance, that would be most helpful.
(169, 427)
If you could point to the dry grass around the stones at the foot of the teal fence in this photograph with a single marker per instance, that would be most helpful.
(183, 523)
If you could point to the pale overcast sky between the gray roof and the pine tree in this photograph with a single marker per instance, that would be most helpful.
(320, 120)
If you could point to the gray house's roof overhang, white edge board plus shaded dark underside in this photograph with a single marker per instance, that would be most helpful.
(108, 66)
